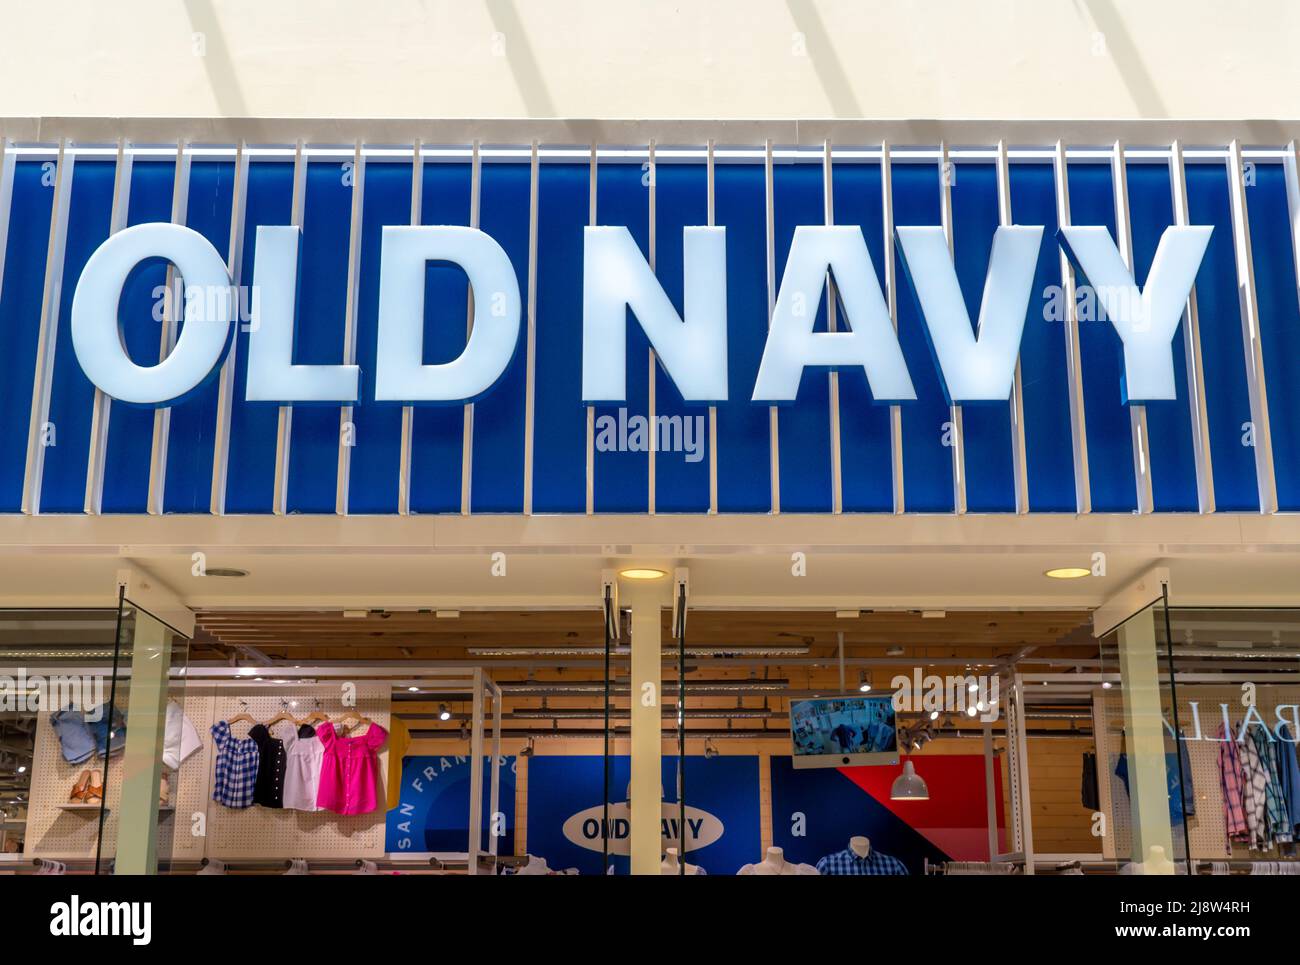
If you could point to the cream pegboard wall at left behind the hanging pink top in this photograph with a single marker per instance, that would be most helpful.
(197, 826)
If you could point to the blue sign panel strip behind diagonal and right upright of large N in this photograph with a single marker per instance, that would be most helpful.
(682, 478)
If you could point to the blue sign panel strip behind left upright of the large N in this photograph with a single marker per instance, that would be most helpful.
(622, 479)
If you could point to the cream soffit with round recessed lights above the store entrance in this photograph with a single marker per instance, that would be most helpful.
(980, 579)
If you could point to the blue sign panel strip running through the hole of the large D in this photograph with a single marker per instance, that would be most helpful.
(437, 432)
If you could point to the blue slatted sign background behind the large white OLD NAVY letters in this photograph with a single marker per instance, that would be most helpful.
(744, 440)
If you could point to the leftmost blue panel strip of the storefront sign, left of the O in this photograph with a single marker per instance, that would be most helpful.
(21, 292)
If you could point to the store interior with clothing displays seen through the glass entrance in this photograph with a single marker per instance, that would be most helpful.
(1012, 747)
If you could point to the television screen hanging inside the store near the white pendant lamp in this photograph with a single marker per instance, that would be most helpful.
(844, 732)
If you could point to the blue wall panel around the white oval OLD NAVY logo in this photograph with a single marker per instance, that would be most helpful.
(725, 787)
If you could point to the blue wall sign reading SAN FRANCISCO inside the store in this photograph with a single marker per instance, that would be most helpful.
(434, 811)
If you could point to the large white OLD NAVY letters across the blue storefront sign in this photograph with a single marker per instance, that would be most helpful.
(976, 361)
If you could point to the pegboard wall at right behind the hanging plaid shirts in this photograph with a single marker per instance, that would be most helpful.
(1207, 829)
